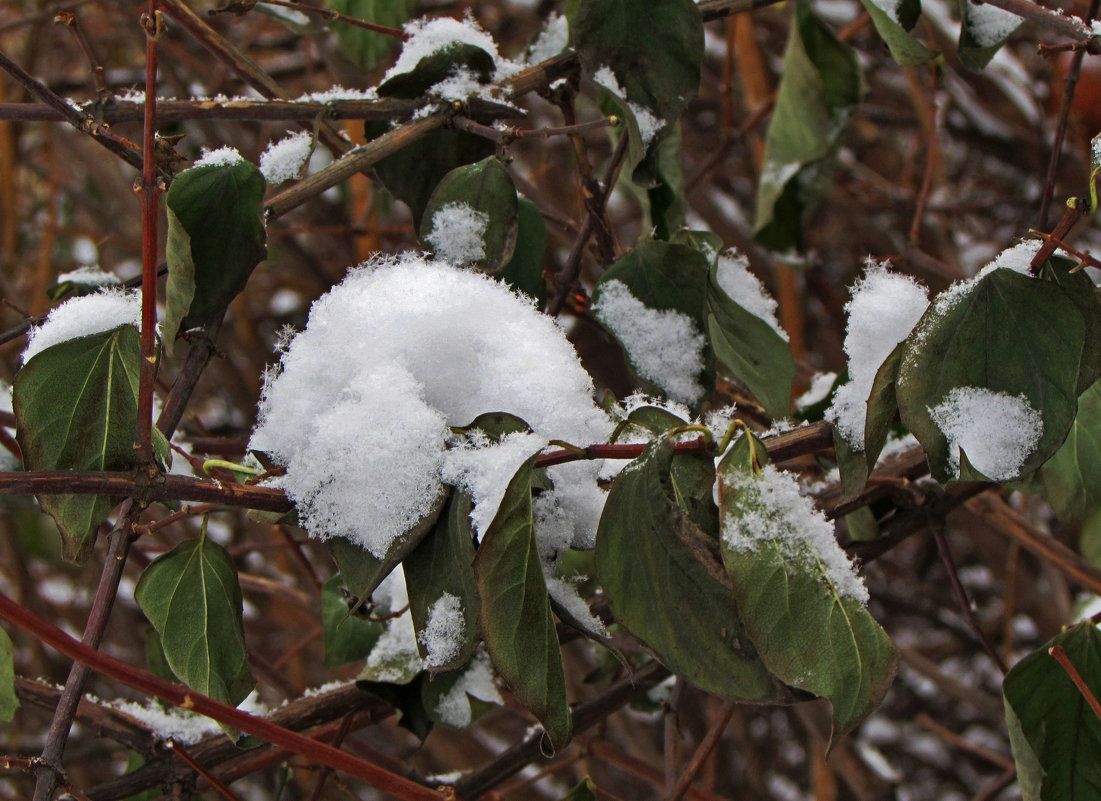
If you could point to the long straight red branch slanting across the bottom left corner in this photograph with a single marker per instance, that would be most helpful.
(179, 696)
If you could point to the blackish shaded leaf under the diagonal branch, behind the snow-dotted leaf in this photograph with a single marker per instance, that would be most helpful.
(412, 173)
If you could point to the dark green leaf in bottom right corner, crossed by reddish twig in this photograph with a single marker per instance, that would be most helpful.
(1056, 739)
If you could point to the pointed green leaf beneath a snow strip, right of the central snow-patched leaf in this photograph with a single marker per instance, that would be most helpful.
(750, 350)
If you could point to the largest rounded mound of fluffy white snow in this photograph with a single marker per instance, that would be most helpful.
(395, 356)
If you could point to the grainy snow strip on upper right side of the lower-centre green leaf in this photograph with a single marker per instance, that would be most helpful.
(768, 508)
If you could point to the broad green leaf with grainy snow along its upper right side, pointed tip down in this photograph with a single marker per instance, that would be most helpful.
(810, 627)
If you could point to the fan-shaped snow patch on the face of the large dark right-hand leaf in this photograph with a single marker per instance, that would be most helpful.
(997, 432)
